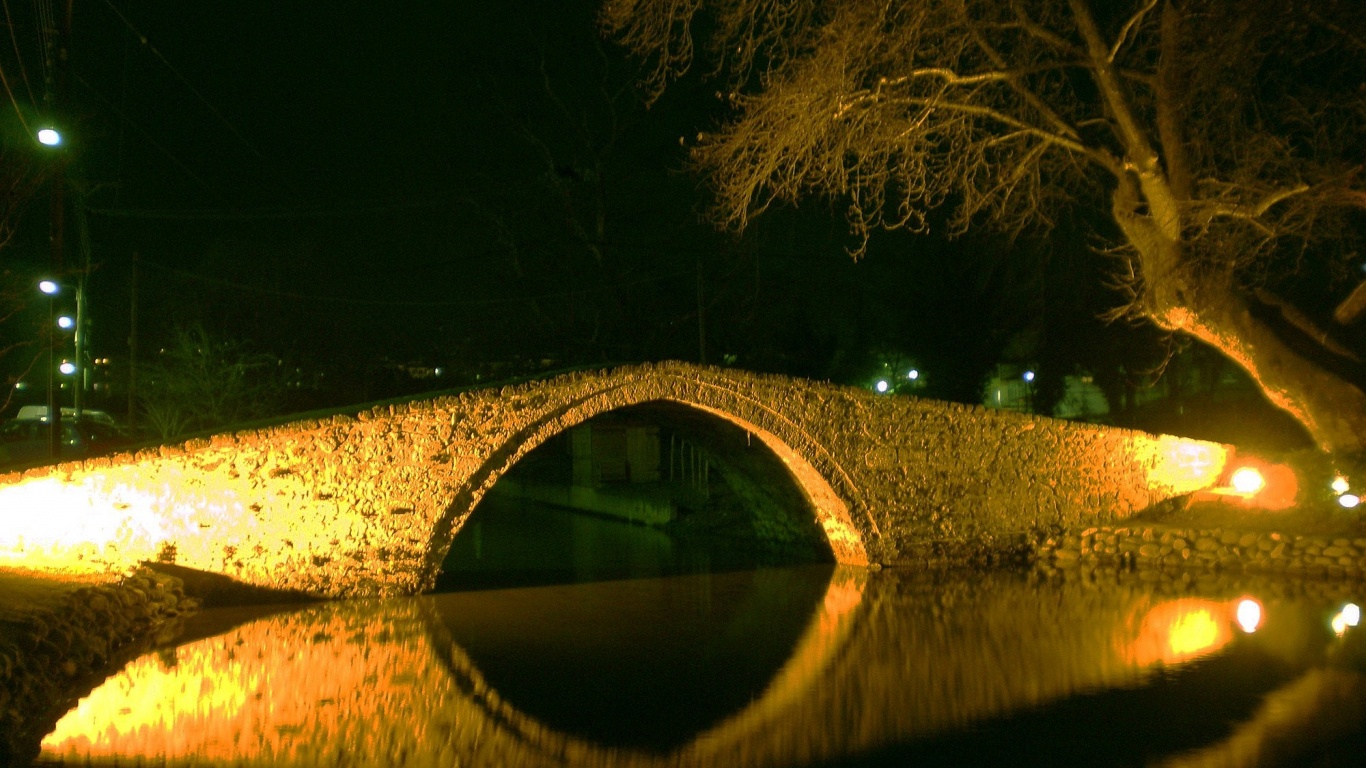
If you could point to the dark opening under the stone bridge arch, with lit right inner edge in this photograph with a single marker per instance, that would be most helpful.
(693, 476)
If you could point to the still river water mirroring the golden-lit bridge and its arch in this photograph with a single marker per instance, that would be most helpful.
(770, 668)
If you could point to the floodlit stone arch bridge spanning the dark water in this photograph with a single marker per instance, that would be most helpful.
(368, 504)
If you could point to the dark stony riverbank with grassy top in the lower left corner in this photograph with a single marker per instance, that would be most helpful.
(59, 636)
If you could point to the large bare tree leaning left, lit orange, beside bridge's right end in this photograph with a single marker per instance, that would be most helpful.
(1219, 144)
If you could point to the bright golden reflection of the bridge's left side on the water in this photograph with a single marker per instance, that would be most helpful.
(296, 689)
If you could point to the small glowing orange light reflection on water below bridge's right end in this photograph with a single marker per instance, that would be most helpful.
(1182, 631)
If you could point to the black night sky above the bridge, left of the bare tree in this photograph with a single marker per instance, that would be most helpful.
(476, 187)
